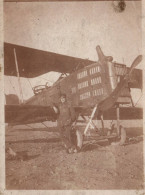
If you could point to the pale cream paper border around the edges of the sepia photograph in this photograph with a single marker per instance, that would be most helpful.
(2, 132)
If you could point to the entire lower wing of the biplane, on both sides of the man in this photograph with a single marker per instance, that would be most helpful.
(26, 114)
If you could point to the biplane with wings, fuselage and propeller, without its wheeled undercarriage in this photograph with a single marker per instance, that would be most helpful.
(98, 89)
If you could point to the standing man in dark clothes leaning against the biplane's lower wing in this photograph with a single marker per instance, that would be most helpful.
(65, 120)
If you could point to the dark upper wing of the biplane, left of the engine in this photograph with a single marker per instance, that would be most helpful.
(33, 62)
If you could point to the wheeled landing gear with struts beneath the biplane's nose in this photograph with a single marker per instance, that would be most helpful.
(116, 134)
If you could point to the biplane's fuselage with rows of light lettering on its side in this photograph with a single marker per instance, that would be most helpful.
(85, 87)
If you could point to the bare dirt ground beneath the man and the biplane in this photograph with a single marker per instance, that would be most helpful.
(42, 163)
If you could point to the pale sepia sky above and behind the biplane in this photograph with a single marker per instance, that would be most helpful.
(74, 29)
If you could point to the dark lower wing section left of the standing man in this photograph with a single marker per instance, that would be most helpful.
(25, 114)
